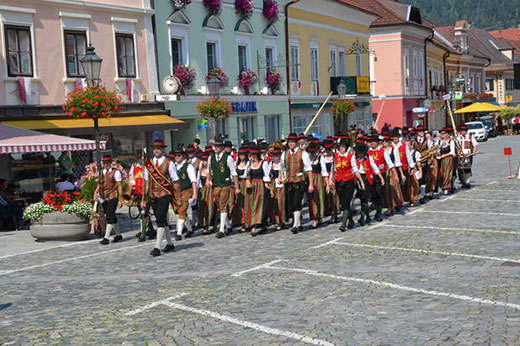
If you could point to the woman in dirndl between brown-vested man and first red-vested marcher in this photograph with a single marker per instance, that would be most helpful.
(320, 179)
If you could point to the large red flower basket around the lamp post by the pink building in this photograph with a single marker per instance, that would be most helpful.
(92, 102)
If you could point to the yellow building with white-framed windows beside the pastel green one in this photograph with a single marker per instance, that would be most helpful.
(328, 45)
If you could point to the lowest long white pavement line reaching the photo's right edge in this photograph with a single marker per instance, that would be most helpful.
(402, 288)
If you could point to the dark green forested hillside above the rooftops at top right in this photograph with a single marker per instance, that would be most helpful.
(485, 14)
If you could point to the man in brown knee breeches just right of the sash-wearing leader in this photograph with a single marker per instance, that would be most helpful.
(188, 193)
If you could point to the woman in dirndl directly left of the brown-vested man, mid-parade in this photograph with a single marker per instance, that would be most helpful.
(277, 190)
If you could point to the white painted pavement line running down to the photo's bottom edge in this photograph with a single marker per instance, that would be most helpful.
(247, 324)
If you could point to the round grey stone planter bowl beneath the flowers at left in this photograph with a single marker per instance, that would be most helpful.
(60, 226)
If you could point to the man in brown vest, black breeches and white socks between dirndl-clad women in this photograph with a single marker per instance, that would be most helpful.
(296, 163)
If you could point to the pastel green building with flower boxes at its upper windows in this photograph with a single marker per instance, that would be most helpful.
(194, 37)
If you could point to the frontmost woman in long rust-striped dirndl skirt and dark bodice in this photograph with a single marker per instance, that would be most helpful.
(257, 184)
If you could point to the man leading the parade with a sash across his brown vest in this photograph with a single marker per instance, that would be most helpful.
(161, 183)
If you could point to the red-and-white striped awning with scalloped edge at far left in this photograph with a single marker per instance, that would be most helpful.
(19, 141)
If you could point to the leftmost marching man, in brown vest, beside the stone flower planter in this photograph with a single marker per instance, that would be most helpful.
(110, 190)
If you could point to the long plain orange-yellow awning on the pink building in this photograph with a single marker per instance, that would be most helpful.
(164, 121)
